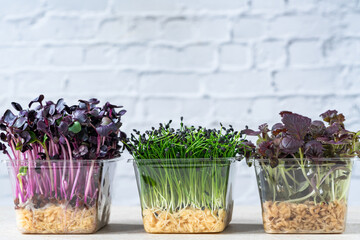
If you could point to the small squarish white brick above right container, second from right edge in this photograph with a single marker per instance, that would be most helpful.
(305, 53)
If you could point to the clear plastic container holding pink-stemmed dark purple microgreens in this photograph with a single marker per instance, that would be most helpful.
(61, 196)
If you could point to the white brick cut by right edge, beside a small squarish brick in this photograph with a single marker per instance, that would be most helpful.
(343, 51)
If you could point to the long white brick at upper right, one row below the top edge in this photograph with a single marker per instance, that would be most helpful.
(303, 26)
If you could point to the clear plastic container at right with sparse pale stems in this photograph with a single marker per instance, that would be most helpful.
(304, 196)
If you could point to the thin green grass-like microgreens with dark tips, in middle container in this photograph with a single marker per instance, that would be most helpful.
(185, 167)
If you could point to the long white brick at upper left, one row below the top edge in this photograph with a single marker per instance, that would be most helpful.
(58, 28)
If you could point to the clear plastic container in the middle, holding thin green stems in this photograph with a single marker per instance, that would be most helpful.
(185, 195)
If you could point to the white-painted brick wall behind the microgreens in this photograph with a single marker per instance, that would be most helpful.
(236, 61)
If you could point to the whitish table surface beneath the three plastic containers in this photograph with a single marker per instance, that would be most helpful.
(126, 223)
